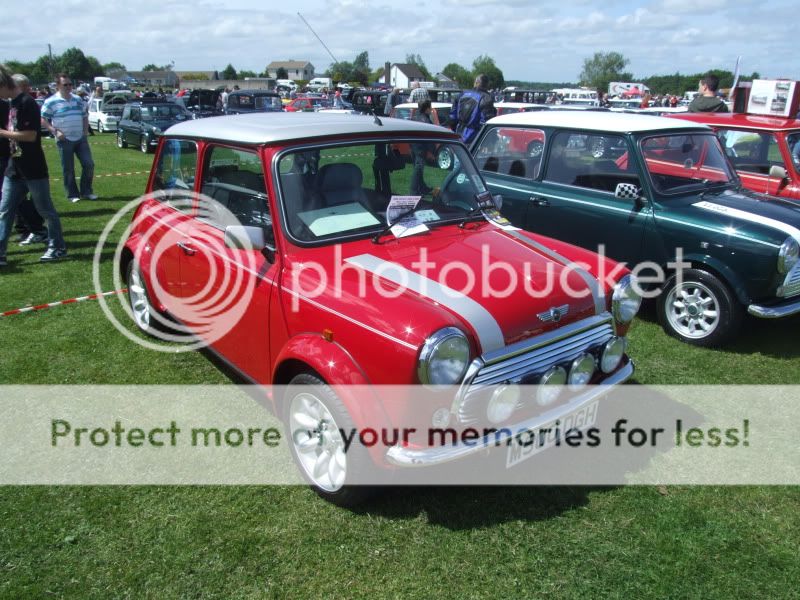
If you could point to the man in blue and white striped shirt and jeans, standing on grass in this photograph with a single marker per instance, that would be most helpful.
(67, 118)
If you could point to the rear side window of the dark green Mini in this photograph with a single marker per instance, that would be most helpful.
(511, 151)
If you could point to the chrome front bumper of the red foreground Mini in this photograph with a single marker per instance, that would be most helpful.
(401, 456)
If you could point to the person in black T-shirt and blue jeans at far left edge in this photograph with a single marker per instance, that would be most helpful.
(27, 168)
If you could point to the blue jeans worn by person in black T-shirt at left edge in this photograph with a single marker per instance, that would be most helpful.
(14, 190)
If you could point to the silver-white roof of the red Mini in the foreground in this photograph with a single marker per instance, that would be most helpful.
(266, 128)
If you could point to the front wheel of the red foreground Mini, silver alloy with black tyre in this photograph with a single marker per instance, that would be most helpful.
(315, 418)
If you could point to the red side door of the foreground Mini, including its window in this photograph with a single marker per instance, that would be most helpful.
(231, 287)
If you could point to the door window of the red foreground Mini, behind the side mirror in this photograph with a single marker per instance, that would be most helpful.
(233, 190)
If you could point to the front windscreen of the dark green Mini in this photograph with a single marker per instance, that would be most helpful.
(685, 162)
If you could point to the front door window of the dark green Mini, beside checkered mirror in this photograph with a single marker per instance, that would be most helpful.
(596, 161)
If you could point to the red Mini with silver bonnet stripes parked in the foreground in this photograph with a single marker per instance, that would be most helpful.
(304, 256)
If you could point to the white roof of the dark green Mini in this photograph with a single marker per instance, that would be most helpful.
(593, 120)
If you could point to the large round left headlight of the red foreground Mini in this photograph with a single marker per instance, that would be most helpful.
(444, 358)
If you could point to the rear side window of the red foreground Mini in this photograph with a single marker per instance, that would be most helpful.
(175, 173)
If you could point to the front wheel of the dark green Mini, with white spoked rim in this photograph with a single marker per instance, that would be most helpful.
(699, 310)
